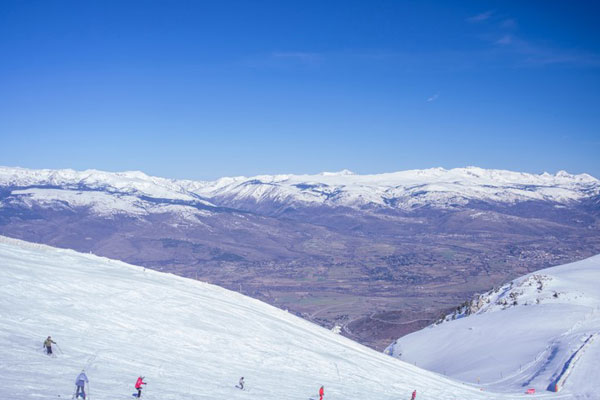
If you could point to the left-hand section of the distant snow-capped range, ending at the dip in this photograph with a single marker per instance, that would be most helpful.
(104, 193)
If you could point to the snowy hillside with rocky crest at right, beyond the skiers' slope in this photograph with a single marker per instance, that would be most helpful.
(530, 332)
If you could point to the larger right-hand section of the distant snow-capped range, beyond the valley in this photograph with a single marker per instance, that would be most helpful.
(406, 189)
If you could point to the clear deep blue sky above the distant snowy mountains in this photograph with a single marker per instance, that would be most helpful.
(199, 90)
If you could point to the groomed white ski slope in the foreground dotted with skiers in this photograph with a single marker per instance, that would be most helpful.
(190, 340)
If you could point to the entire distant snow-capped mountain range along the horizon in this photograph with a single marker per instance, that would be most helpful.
(405, 190)
